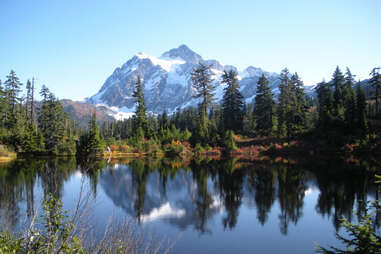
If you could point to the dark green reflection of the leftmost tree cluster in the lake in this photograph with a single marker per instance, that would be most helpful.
(18, 180)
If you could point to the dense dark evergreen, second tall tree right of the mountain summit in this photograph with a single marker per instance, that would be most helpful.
(232, 102)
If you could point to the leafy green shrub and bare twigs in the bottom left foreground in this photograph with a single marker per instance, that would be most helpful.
(56, 232)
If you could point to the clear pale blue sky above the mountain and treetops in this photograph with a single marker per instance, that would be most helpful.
(73, 46)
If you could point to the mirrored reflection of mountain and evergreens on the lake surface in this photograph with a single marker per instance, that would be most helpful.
(191, 194)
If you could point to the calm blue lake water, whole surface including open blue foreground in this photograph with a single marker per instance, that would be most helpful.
(206, 206)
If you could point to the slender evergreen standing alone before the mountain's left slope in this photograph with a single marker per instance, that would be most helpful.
(140, 114)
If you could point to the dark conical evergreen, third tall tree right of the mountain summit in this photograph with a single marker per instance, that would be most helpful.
(264, 108)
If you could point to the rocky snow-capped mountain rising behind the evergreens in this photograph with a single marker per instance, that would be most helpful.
(166, 81)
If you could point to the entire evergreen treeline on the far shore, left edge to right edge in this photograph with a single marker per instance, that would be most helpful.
(339, 113)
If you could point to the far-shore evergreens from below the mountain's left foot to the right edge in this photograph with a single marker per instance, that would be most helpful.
(339, 113)
